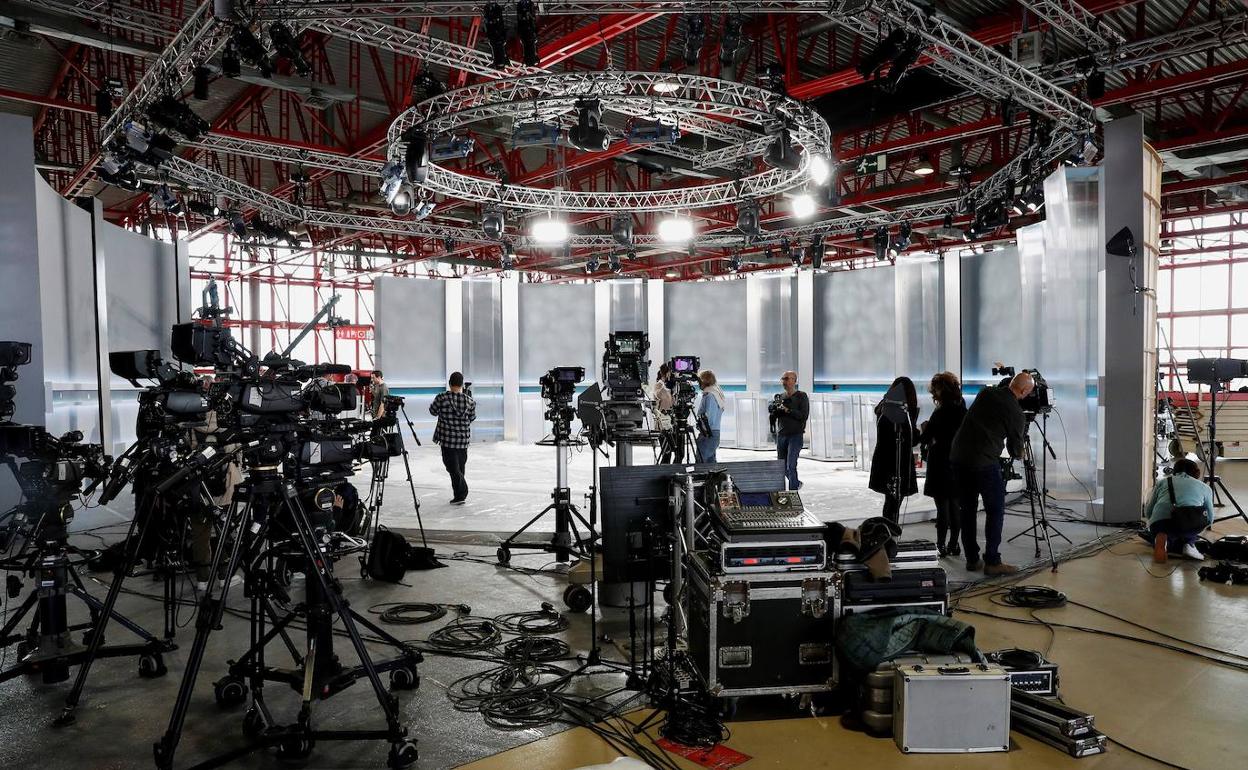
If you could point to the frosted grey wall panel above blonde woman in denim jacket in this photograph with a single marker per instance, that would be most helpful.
(708, 320)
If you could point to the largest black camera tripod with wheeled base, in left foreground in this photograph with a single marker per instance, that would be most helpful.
(264, 506)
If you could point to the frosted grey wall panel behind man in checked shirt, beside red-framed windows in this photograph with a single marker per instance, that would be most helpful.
(411, 330)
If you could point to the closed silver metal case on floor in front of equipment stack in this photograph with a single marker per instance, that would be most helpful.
(952, 708)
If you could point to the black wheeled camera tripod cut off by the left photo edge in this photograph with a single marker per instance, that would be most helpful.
(48, 646)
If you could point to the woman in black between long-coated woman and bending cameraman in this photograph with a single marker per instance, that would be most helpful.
(937, 437)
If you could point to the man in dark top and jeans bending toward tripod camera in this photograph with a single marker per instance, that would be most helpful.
(994, 420)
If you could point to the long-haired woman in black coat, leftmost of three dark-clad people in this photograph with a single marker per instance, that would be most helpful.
(893, 467)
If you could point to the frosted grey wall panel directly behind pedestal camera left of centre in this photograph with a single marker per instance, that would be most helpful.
(557, 329)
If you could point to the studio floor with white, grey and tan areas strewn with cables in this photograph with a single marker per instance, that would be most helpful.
(1179, 708)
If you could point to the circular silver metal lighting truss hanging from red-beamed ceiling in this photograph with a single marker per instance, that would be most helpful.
(733, 113)
